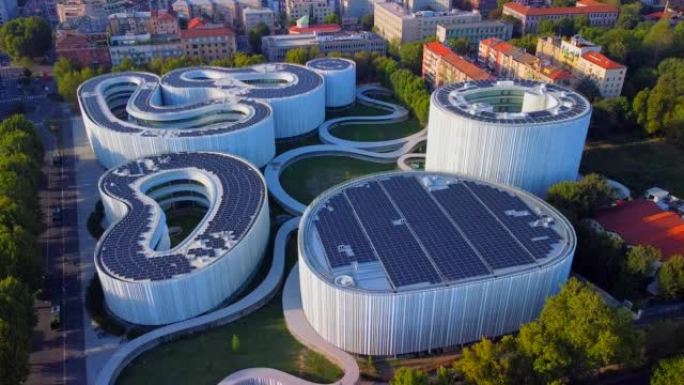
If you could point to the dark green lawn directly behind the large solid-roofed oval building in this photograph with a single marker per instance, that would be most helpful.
(307, 178)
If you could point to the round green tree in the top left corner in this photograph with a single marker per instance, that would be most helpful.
(25, 38)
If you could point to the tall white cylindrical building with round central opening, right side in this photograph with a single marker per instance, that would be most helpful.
(522, 133)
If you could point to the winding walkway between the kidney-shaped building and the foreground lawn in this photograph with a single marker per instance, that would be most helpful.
(251, 302)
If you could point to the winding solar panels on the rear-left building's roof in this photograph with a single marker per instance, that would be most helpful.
(94, 104)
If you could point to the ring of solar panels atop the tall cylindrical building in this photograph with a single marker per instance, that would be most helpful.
(576, 104)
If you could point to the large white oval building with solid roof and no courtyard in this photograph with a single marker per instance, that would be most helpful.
(404, 262)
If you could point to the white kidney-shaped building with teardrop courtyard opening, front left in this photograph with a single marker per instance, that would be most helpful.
(147, 282)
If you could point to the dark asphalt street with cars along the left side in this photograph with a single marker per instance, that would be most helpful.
(58, 355)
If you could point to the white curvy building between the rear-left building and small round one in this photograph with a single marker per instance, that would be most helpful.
(295, 93)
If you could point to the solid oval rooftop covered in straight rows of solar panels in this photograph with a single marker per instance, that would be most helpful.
(402, 231)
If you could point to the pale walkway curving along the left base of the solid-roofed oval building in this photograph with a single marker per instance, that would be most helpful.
(302, 330)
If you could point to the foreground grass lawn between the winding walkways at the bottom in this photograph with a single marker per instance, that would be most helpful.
(205, 358)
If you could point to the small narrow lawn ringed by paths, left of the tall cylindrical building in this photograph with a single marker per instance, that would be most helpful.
(376, 132)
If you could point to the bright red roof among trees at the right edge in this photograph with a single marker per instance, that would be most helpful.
(642, 222)
